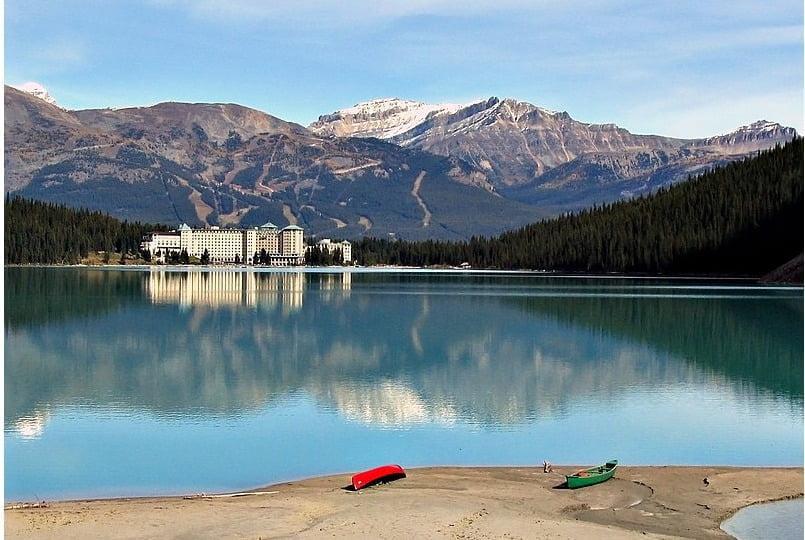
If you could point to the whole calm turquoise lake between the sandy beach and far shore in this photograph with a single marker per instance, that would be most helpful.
(165, 381)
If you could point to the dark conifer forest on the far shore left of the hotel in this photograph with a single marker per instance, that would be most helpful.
(45, 233)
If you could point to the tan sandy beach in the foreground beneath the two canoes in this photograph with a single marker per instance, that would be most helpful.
(500, 502)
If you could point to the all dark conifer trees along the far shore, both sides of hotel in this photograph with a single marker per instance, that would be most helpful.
(744, 218)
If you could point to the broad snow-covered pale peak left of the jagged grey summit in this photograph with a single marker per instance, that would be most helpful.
(383, 118)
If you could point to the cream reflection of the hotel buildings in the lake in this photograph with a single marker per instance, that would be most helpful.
(227, 288)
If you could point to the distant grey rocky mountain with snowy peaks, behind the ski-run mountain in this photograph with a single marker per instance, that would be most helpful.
(520, 146)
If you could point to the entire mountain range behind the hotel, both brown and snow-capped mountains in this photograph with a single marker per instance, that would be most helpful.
(385, 168)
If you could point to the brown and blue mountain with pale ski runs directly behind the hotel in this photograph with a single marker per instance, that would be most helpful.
(224, 164)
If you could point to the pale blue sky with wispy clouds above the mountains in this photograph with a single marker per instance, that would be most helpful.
(682, 68)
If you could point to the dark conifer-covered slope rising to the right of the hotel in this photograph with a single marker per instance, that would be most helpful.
(745, 218)
